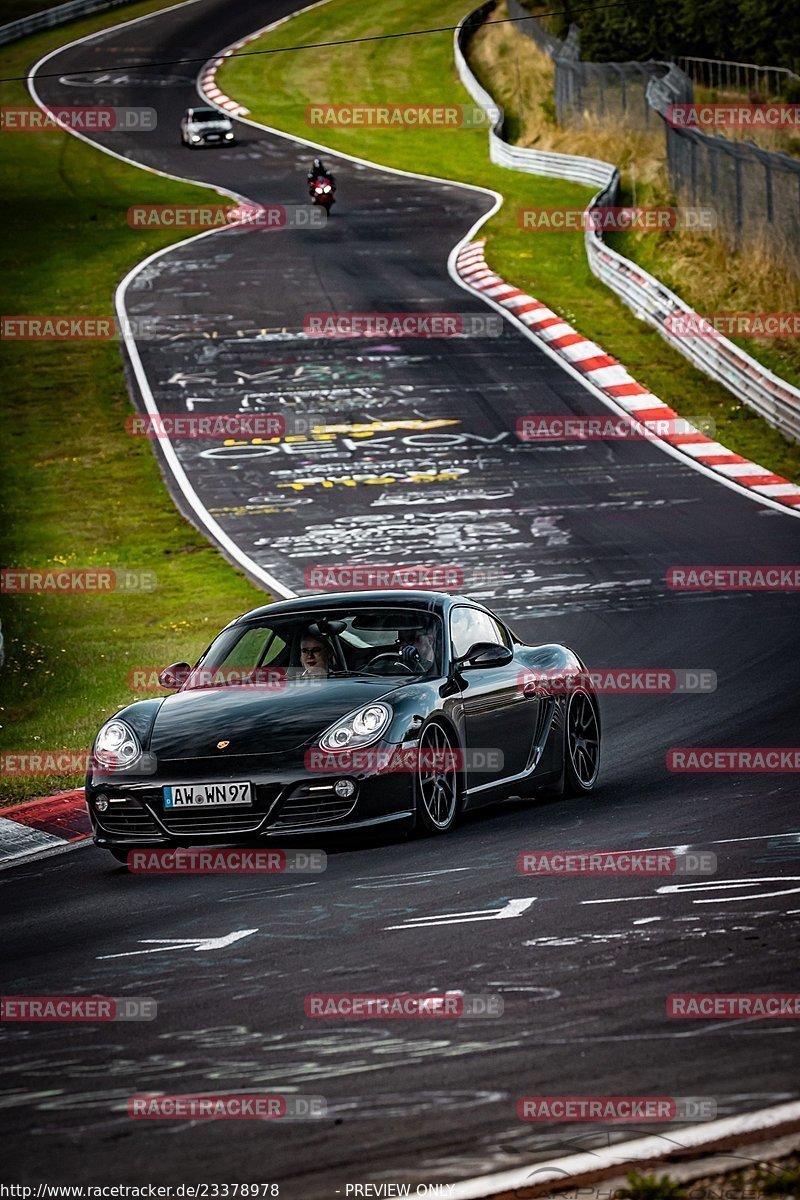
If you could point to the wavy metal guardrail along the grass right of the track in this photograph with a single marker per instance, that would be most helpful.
(762, 391)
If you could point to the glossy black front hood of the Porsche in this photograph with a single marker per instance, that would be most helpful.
(257, 721)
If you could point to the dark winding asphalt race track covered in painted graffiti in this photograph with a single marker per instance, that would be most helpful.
(575, 541)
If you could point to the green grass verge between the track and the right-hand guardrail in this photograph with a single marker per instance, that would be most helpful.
(279, 89)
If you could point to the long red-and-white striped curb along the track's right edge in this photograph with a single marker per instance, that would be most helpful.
(615, 382)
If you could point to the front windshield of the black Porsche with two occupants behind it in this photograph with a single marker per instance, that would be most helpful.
(320, 645)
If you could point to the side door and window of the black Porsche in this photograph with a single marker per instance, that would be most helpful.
(497, 713)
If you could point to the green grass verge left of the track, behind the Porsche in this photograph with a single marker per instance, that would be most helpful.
(76, 490)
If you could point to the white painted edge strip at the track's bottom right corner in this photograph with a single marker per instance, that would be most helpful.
(562, 1174)
